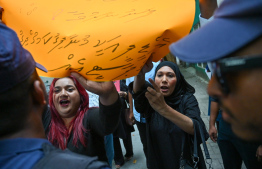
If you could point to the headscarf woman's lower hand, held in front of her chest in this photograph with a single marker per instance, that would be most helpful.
(156, 98)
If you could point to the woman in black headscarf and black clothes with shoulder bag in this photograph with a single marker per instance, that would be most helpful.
(171, 110)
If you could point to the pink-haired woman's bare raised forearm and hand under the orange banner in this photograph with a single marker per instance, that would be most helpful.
(106, 90)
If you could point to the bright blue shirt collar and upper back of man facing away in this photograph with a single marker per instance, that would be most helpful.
(21, 152)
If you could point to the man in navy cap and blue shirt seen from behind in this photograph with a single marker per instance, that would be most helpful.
(23, 100)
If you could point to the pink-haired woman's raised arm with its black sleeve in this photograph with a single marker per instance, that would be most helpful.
(105, 119)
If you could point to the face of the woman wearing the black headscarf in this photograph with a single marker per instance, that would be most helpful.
(166, 80)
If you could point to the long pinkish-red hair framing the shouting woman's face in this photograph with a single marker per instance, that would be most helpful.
(57, 129)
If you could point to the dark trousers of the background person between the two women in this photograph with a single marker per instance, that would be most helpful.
(119, 158)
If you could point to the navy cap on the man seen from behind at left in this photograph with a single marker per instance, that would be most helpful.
(16, 63)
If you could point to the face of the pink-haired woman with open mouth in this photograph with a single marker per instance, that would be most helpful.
(66, 97)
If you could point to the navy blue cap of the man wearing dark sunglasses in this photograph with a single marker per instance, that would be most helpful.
(236, 23)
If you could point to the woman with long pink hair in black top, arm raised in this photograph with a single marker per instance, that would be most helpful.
(70, 123)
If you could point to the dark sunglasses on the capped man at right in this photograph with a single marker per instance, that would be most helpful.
(234, 64)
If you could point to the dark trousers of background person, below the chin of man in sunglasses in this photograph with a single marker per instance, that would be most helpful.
(234, 150)
